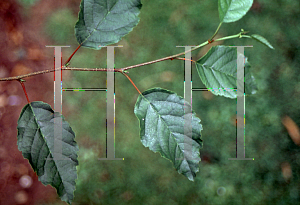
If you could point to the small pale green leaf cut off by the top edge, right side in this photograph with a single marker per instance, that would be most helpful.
(233, 10)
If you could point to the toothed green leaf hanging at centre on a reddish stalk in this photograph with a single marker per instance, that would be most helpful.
(161, 115)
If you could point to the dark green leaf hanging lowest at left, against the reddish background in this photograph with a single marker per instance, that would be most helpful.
(36, 142)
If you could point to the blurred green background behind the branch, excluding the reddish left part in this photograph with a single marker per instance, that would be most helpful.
(146, 178)
